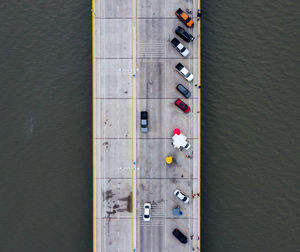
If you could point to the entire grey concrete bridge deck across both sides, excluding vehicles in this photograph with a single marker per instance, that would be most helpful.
(134, 71)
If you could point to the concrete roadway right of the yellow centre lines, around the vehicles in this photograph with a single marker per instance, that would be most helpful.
(157, 93)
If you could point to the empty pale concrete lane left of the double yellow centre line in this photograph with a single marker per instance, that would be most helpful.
(114, 131)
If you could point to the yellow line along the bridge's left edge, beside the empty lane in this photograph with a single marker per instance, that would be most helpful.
(93, 136)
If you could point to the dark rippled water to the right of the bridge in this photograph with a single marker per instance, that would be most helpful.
(251, 126)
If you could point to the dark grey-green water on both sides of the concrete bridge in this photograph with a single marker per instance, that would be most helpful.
(251, 126)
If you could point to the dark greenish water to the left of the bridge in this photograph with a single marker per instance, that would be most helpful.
(45, 106)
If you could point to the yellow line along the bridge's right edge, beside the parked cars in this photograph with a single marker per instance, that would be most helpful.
(199, 123)
